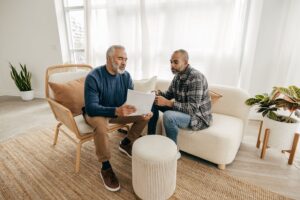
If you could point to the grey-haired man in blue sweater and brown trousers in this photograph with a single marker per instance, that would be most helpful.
(105, 93)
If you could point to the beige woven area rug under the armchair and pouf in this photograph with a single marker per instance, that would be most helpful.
(31, 168)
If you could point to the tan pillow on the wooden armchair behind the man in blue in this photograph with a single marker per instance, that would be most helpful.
(70, 94)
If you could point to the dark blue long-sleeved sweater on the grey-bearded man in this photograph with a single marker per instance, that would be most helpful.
(104, 92)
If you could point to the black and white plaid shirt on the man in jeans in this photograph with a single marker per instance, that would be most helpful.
(190, 91)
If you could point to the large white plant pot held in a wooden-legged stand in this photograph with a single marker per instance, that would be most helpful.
(281, 133)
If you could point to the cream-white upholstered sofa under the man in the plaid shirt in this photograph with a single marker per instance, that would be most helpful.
(220, 142)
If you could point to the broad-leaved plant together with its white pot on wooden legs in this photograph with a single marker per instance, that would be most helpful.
(279, 109)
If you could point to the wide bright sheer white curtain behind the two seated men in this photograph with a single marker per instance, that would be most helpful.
(212, 31)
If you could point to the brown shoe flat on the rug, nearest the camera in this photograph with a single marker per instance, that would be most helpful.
(110, 180)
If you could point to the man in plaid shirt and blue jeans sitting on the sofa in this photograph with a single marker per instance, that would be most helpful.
(186, 103)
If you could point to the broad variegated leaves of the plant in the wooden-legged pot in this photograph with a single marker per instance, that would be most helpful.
(285, 98)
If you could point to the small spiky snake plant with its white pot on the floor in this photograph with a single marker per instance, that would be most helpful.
(22, 80)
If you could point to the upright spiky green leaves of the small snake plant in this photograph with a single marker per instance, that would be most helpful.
(21, 79)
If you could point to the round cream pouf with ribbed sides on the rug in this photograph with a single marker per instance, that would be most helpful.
(154, 166)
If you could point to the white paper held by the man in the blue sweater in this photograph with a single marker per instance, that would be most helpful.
(142, 101)
